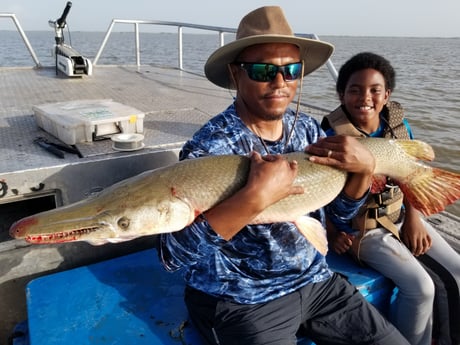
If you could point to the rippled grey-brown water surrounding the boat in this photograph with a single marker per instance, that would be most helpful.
(427, 69)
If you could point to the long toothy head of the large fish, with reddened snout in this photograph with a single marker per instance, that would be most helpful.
(115, 215)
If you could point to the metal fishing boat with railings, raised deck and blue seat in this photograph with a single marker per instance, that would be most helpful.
(53, 294)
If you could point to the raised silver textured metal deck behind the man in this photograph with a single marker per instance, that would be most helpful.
(175, 103)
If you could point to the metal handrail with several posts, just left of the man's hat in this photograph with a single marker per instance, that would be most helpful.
(221, 31)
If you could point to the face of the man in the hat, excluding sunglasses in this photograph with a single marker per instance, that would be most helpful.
(265, 100)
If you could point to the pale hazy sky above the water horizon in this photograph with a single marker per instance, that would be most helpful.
(406, 18)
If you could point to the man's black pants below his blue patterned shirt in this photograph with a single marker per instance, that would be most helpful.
(330, 312)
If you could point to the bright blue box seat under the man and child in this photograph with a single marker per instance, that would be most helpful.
(133, 300)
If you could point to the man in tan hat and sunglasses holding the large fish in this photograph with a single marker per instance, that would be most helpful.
(262, 284)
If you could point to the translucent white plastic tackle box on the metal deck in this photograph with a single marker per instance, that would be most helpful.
(85, 120)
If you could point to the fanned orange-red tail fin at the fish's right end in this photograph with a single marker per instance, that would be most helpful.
(431, 193)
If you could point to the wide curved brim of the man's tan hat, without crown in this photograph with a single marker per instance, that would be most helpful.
(313, 53)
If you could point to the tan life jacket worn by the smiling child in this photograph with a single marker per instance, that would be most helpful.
(383, 206)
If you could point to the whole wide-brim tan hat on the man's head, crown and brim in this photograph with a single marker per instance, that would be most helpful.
(264, 25)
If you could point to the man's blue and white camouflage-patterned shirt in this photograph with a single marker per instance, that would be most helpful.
(262, 262)
